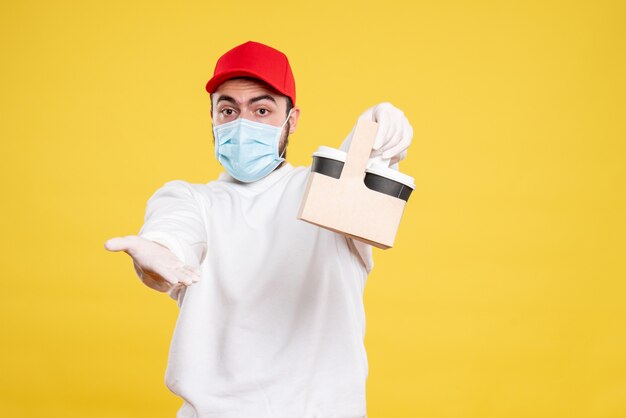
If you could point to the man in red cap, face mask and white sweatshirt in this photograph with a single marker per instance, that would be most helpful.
(271, 319)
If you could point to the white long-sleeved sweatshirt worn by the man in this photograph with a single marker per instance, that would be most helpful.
(275, 326)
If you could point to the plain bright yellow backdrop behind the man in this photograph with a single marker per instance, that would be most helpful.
(505, 293)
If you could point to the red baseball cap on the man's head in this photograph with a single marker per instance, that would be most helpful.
(255, 60)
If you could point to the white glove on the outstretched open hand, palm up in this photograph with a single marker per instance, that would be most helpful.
(156, 265)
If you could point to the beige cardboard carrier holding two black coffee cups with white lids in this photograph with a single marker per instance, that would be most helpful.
(365, 203)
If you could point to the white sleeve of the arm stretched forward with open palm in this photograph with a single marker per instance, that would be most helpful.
(174, 218)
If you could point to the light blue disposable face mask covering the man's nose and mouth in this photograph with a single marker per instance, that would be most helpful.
(248, 150)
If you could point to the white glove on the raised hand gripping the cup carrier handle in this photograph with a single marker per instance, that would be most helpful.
(394, 132)
